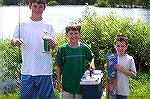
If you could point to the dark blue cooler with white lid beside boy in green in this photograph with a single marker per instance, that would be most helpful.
(90, 84)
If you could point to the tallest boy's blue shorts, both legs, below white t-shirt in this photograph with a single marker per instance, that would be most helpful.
(32, 87)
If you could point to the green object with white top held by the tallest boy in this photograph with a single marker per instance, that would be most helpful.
(46, 37)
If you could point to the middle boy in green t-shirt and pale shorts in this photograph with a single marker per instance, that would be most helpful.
(71, 63)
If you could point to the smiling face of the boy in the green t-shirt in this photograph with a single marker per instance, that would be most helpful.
(73, 36)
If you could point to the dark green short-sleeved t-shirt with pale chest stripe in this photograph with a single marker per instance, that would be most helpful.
(73, 62)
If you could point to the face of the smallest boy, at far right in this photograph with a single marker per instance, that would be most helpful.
(120, 47)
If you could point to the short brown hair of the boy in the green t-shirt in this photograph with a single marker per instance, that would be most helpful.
(73, 26)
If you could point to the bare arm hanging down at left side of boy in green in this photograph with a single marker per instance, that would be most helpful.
(59, 72)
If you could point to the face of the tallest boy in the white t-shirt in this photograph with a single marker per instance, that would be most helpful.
(37, 9)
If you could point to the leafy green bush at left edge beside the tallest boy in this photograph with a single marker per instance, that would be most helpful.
(11, 60)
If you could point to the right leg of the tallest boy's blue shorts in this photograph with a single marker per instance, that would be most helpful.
(45, 87)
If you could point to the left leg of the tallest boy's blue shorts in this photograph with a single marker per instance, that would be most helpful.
(27, 87)
